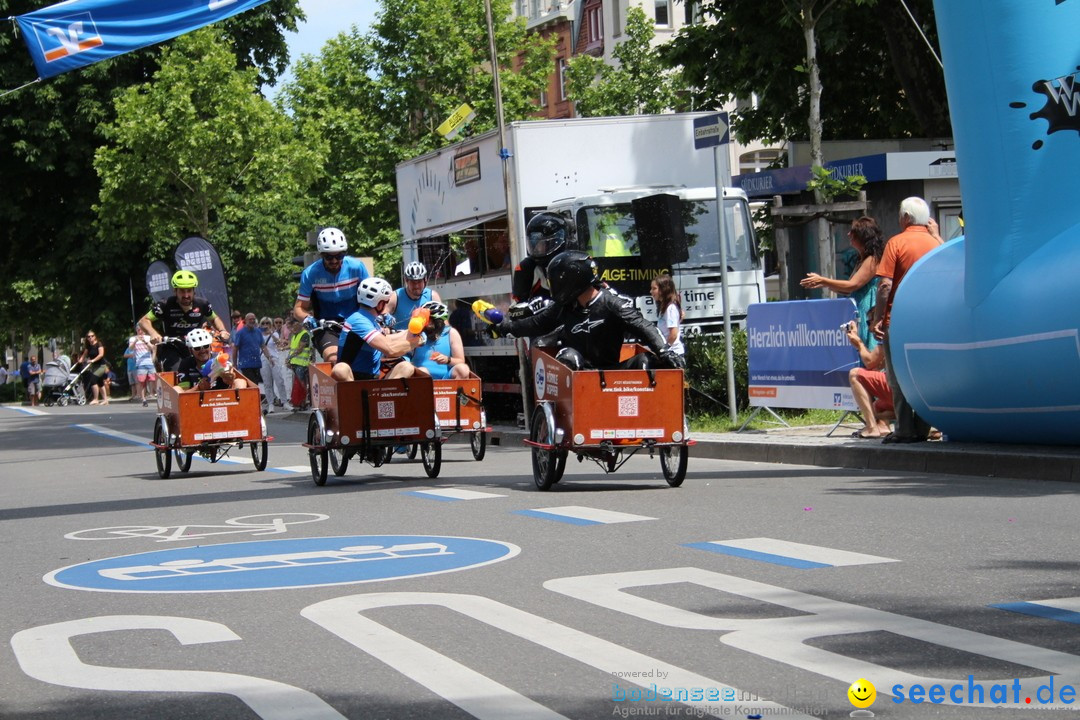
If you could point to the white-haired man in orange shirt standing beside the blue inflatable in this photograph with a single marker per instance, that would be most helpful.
(902, 252)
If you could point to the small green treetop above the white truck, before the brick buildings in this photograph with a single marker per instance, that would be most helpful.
(640, 85)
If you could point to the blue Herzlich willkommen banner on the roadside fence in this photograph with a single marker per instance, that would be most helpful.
(800, 356)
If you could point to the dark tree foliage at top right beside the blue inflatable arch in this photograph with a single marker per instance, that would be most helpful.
(880, 79)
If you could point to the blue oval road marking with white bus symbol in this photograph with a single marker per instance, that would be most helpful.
(282, 564)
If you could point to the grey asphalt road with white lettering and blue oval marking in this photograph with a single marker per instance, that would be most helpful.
(753, 589)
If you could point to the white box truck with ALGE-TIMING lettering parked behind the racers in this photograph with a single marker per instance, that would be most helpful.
(641, 198)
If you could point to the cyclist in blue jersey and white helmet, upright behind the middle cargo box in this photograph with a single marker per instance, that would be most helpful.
(329, 291)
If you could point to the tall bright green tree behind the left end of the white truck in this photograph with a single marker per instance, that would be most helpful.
(379, 98)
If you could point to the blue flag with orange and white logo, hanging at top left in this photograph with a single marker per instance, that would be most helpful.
(79, 33)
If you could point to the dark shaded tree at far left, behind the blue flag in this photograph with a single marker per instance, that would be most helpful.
(55, 277)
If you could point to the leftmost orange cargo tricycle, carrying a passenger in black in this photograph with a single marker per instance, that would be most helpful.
(208, 423)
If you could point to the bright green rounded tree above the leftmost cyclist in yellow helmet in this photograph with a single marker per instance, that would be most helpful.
(199, 152)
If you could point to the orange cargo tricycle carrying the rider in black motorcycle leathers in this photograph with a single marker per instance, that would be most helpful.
(605, 416)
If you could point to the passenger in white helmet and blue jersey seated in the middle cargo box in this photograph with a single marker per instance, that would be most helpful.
(363, 344)
